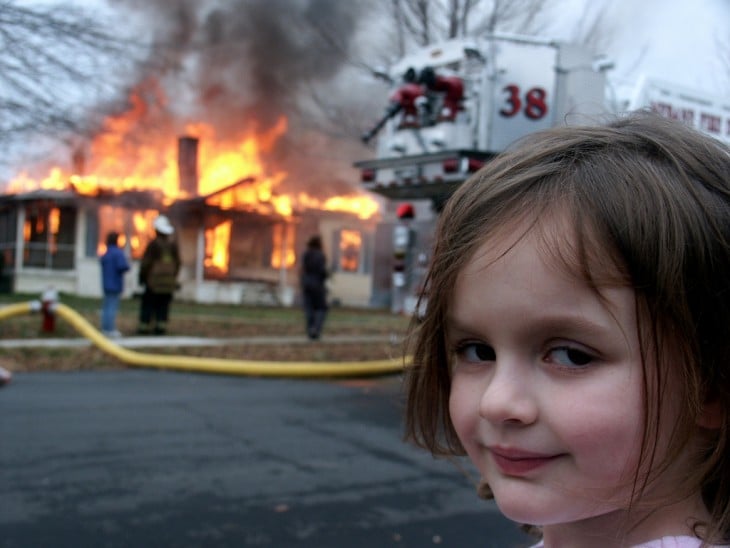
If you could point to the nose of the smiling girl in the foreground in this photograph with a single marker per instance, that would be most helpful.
(508, 395)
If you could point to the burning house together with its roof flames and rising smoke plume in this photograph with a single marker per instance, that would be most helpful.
(254, 176)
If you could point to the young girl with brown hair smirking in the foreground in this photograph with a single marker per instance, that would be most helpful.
(576, 342)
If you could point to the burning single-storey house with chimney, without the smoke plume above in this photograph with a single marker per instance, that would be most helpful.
(239, 243)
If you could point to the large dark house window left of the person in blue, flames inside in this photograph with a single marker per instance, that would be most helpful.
(48, 235)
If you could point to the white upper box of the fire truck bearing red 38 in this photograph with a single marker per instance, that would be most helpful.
(512, 86)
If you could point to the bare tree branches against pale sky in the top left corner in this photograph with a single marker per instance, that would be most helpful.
(52, 56)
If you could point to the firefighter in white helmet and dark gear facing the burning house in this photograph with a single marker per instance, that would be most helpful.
(158, 275)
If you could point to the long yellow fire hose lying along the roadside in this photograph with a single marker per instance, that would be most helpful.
(209, 365)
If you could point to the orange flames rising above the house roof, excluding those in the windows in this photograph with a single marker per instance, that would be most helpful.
(121, 163)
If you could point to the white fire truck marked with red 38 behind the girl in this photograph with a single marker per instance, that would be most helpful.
(454, 105)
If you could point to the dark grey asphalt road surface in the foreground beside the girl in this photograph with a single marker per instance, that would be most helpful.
(153, 458)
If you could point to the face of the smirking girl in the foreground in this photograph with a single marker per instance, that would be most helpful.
(547, 387)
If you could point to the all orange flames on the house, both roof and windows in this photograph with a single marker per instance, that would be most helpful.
(232, 173)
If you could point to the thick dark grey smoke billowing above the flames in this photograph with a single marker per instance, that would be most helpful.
(238, 64)
